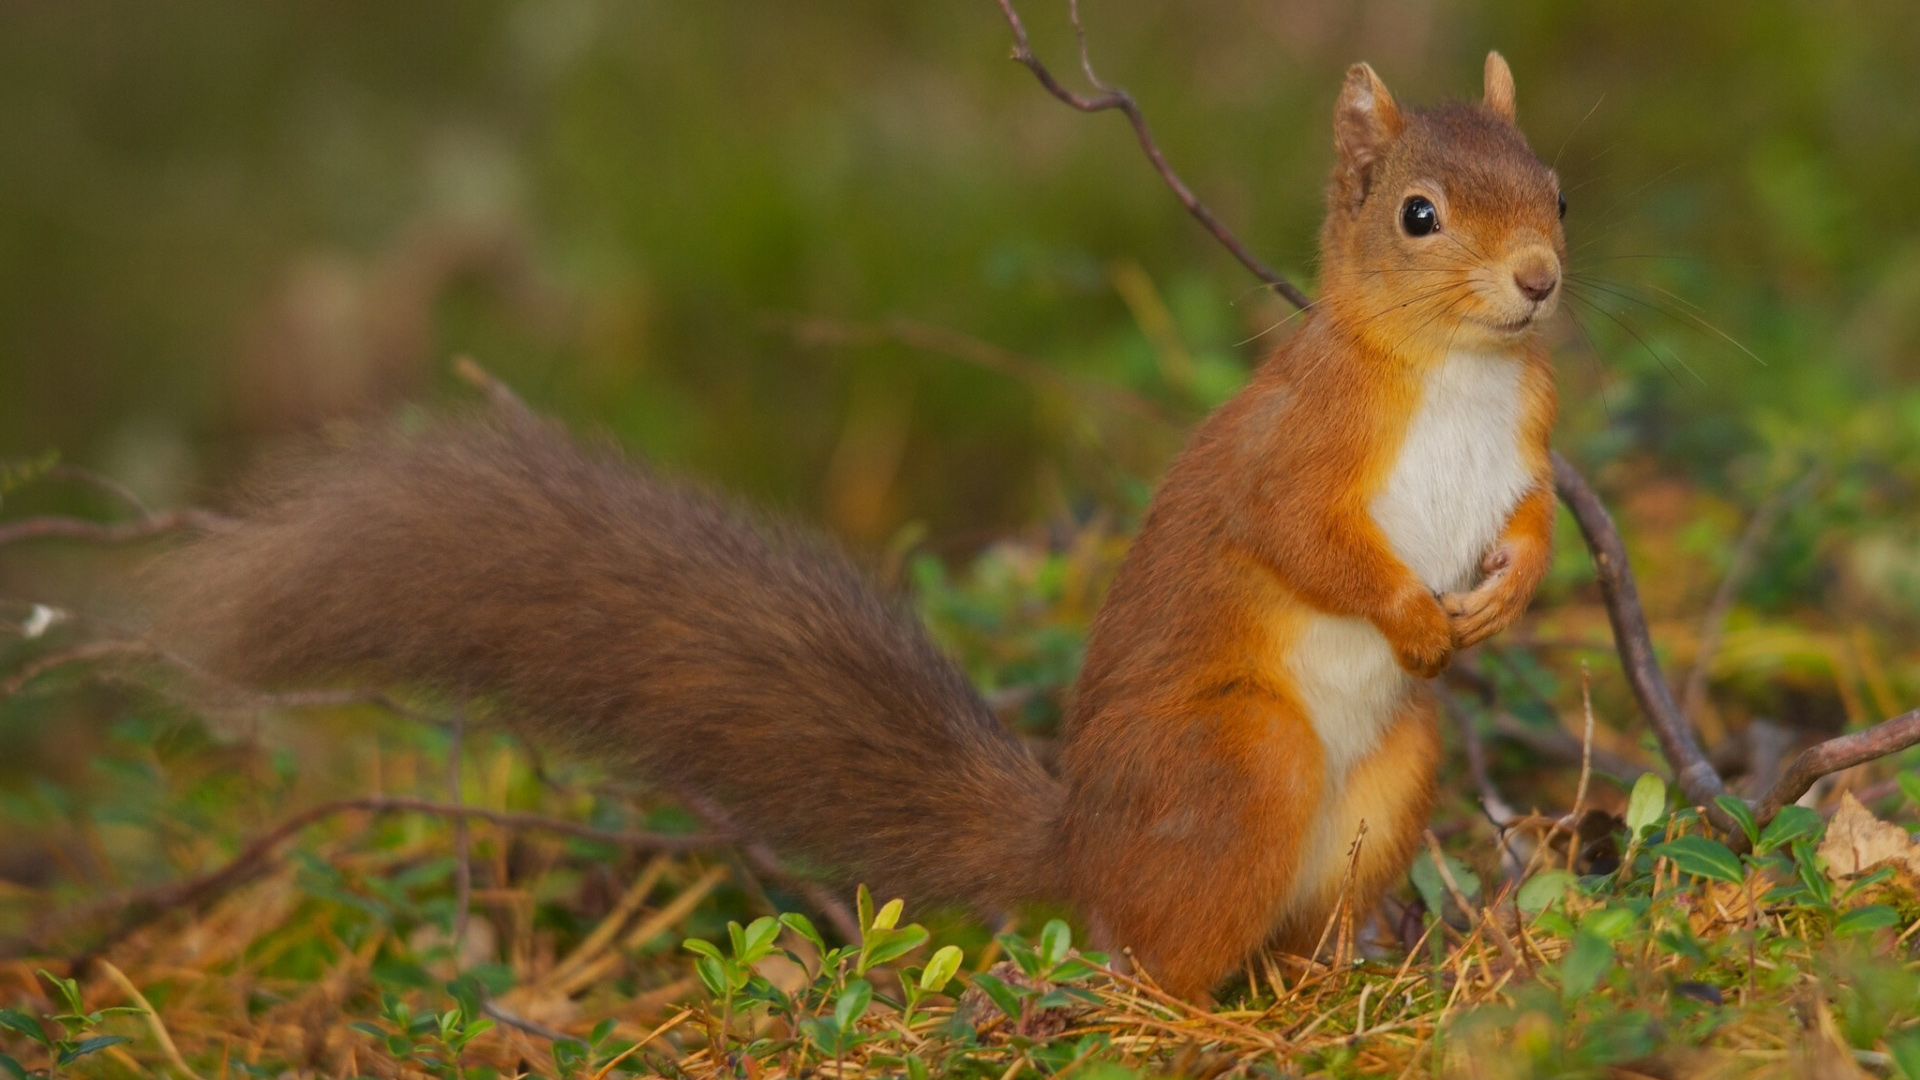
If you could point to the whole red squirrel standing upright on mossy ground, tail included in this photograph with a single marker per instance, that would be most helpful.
(1257, 687)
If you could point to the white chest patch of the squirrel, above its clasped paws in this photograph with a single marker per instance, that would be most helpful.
(1460, 470)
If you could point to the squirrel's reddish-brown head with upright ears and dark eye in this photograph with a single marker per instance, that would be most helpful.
(1443, 226)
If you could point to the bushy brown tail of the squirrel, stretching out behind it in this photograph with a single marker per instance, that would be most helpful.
(636, 620)
